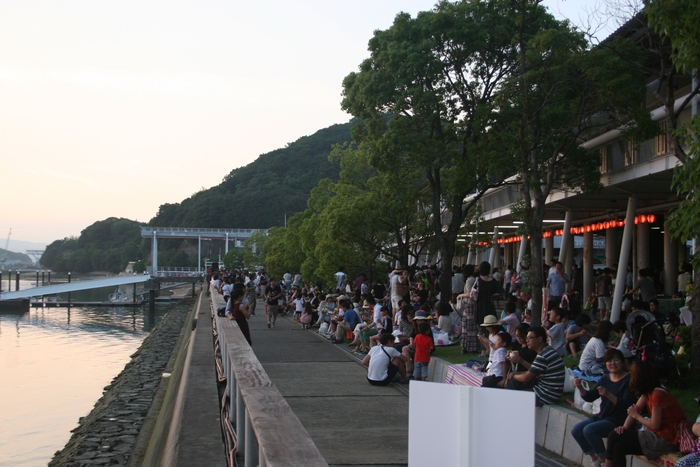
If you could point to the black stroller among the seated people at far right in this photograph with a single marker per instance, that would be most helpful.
(648, 342)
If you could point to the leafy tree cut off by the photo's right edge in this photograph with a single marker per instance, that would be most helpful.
(676, 21)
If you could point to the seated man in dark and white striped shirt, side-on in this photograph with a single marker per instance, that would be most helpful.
(546, 374)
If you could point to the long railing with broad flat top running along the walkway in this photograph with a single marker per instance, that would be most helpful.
(268, 432)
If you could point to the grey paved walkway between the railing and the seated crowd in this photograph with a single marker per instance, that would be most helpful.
(351, 422)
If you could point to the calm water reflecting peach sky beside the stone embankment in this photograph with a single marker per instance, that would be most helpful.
(54, 364)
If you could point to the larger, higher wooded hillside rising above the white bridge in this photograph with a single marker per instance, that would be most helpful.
(260, 194)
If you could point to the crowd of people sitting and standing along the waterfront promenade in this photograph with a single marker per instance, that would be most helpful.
(393, 324)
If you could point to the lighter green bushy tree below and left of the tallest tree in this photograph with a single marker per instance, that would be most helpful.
(367, 219)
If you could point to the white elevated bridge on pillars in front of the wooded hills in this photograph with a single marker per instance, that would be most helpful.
(238, 236)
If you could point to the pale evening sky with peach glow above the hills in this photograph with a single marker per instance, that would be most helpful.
(113, 108)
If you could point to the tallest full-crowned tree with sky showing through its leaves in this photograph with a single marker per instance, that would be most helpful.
(435, 78)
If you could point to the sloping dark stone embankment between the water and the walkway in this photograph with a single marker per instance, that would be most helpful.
(110, 433)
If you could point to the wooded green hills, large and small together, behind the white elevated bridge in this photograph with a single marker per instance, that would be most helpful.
(256, 196)
